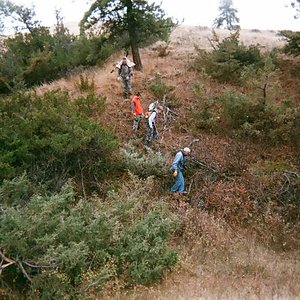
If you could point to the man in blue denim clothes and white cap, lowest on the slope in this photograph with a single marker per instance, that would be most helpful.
(177, 168)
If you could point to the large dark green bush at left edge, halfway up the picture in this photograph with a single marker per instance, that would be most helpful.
(53, 138)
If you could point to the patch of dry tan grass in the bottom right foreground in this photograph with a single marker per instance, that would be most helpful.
(223, 264)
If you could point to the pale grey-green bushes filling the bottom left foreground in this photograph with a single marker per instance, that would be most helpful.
(68, 246)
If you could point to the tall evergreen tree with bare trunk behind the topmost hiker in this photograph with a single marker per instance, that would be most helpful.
(131, 23)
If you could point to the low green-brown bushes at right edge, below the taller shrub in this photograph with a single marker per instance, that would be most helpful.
(248, 117)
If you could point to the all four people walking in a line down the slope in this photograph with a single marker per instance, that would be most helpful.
(125, 73)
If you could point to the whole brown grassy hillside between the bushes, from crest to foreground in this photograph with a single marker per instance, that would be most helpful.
(219, 258)
